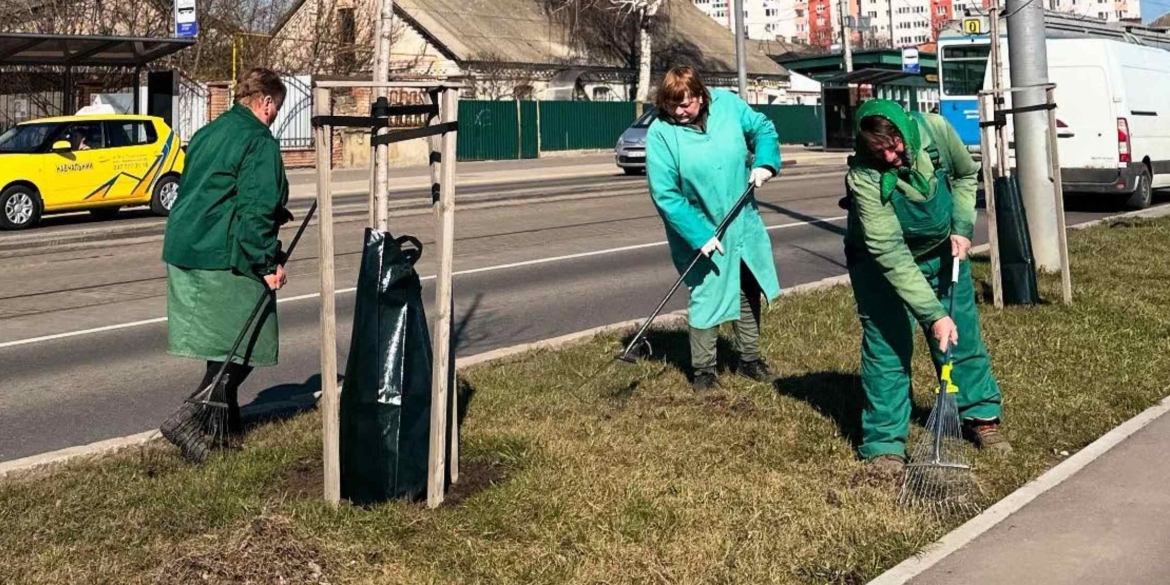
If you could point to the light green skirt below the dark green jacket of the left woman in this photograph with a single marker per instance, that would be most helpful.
(208, 309)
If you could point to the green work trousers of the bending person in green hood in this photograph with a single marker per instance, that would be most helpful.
(887, 346)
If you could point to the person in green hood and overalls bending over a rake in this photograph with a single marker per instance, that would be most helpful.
(912, 194)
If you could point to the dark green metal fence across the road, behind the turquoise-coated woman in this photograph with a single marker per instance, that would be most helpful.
(491, 130)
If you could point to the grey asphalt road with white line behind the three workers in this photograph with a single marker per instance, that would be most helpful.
(82, 338)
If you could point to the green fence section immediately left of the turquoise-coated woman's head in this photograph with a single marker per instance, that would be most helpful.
(580, 126)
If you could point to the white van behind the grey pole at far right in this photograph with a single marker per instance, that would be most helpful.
(1113, 116)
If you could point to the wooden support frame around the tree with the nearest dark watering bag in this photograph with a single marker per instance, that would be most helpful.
(442, 134)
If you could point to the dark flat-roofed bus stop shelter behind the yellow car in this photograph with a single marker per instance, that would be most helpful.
(39, 68)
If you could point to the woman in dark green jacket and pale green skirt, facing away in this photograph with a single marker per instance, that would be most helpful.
(222, 249)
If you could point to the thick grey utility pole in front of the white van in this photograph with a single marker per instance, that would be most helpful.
(1029, 58)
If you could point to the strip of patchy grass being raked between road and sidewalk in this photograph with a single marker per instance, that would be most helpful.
(631, 479)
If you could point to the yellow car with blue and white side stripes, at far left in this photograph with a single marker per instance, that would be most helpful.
(98, 163)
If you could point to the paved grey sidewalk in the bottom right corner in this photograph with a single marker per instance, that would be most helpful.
(1109, 524)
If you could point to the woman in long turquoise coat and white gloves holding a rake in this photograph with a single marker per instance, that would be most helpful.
(698, 157)
